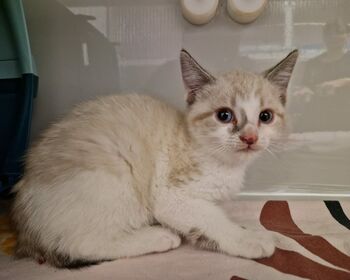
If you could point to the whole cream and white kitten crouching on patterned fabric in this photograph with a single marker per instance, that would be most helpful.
(128, 175)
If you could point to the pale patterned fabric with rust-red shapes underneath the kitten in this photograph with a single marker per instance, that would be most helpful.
(312, 237)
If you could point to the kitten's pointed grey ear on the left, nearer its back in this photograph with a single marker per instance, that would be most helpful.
(193, 75)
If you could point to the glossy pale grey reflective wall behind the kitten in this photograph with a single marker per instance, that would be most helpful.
(86, 48)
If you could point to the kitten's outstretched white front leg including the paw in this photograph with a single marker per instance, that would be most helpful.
(206, 224)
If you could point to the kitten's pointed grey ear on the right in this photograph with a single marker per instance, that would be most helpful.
(280, 73)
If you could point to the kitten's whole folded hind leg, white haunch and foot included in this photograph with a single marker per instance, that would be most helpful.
(90, 218)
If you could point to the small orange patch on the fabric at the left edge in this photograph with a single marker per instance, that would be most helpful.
(7, 236)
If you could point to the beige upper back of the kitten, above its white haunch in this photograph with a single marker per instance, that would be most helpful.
(96, 131)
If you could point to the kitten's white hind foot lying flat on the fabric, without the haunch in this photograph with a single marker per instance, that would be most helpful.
(88, 250)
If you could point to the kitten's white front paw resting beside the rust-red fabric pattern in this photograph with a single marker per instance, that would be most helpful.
(252, 245)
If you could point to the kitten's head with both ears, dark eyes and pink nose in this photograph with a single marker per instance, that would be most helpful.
(236, 115)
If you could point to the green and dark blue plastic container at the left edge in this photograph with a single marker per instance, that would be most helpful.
(18, 87)
